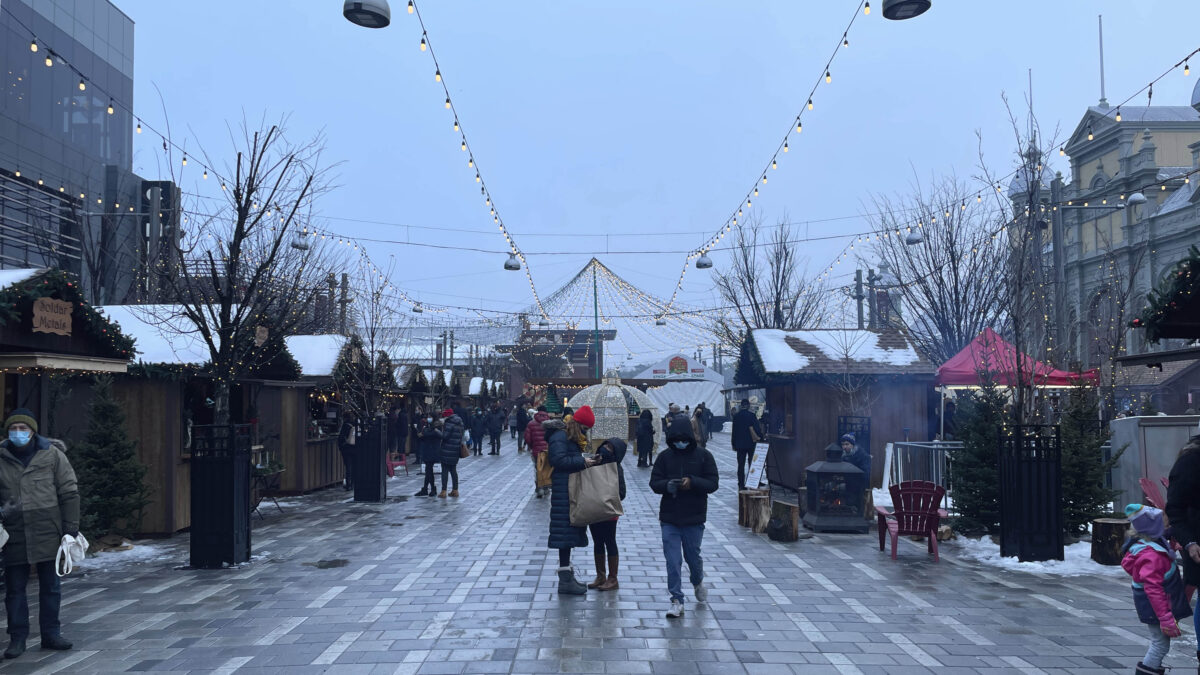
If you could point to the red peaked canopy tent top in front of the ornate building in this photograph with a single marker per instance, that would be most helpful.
(992, 353)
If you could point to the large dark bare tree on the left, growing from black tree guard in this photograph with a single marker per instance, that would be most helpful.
(250, 267)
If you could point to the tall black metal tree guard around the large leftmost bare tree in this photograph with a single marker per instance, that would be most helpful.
(221, 480)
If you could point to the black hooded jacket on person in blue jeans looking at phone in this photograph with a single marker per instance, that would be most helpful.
(686, 507)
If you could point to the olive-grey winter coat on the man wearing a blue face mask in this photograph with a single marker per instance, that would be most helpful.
(49, 498)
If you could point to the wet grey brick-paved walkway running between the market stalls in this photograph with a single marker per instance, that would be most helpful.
(469, 587)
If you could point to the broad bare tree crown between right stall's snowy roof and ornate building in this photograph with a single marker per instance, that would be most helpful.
(950, 265)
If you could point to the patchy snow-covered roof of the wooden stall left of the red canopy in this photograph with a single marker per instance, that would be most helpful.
(836, 351)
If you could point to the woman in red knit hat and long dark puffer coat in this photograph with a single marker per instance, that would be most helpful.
(566, 443)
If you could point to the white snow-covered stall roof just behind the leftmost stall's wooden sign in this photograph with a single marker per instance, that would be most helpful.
(161, 333)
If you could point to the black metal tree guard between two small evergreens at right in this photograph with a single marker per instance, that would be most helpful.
(1031, 493)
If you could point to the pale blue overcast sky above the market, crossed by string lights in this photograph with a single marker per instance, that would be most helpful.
(616, 127)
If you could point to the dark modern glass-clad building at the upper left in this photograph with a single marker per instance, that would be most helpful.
(69, 198)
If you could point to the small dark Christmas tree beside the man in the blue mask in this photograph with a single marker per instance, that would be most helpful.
(111, 477)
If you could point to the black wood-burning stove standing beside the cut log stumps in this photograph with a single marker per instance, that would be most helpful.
(836, 492)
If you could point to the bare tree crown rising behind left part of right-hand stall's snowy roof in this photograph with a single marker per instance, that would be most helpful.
(767, 286)
